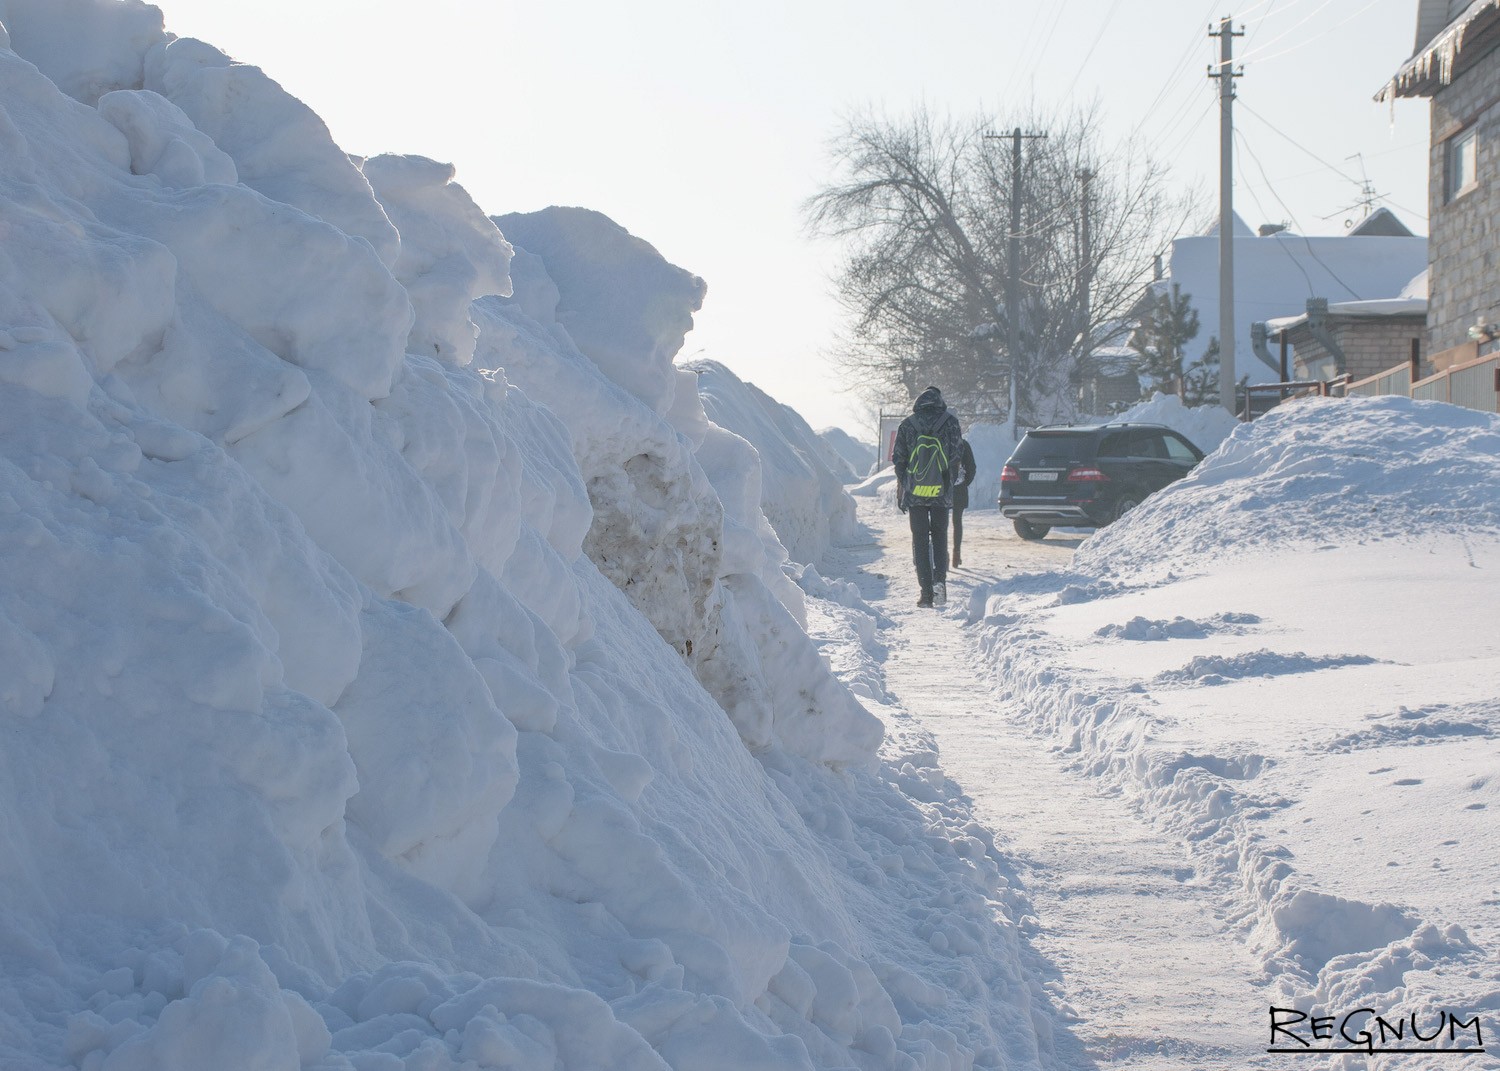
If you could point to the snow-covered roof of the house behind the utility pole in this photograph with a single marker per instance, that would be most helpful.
(1277, 272)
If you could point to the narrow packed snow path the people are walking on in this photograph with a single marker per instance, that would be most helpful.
(1142, 958)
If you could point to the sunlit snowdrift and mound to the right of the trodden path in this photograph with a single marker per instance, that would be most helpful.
(1316, 716)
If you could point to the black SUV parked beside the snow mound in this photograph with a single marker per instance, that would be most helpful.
(1084, 476)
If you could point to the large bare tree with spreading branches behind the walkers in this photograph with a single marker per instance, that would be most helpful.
(925, 209)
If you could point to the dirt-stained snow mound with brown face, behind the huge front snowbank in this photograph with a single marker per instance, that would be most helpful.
(677, 500)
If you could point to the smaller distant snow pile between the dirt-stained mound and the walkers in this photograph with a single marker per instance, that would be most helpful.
(802, 487)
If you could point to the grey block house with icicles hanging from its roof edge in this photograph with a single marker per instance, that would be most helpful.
(1456, 67)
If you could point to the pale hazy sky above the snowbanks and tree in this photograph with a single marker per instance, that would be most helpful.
(701, 125)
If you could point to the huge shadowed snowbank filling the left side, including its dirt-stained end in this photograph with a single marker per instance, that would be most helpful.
(340, 725)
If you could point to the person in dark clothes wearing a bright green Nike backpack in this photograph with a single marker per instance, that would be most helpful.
(926, 460)
